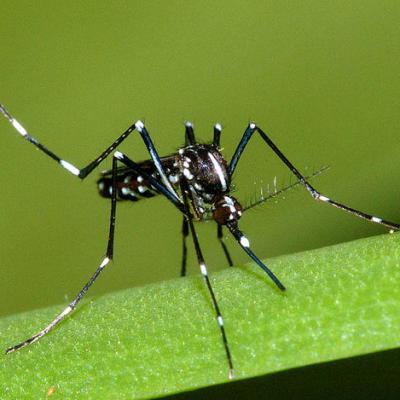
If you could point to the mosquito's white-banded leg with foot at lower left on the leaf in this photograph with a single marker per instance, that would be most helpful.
(100, 268)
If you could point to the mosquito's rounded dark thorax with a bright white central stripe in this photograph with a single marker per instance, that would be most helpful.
(205, 170)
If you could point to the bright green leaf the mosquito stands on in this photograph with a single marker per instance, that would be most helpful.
(160, 339)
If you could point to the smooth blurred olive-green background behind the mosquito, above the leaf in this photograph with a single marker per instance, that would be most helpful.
(321, 77)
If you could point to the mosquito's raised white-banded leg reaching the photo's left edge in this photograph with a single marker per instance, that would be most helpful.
(84, 172)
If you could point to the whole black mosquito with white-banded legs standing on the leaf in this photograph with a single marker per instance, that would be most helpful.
(197, 181)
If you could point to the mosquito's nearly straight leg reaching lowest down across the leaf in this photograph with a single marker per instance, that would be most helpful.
(204, 273)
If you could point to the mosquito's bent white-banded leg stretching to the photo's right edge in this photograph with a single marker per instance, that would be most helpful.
(252, 128)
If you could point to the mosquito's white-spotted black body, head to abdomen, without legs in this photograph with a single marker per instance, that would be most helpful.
(204, 171)
